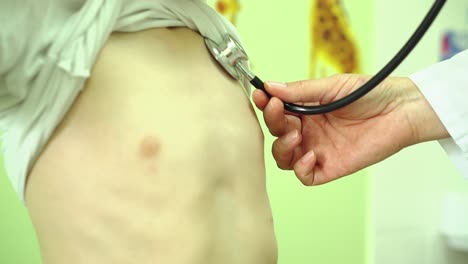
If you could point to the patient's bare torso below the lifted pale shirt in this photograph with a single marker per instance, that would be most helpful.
(160, 160)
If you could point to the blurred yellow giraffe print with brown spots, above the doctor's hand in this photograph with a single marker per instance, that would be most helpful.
(333, 47)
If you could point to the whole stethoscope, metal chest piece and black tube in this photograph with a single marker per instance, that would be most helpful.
(232, 57)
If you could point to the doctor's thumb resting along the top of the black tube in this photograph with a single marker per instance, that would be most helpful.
(300, 91)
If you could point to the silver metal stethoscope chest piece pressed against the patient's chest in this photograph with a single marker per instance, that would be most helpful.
(229, 53)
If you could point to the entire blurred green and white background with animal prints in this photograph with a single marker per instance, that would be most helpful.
(410, 208)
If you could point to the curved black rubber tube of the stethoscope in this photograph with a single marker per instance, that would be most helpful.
(374, 81)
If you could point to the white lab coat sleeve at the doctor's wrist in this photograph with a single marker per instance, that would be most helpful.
(445, 85)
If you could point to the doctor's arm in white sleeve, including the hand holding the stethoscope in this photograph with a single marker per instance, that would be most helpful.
(400, 112)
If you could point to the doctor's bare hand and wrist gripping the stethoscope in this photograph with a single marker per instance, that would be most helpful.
(323, 148)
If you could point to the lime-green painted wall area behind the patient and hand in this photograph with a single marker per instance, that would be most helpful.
(326, 224)
